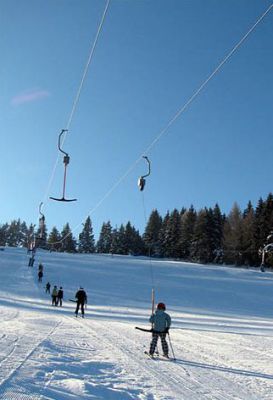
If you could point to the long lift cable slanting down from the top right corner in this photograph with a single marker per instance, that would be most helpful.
(178, 113)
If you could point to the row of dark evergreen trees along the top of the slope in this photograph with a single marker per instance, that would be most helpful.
(204, 236)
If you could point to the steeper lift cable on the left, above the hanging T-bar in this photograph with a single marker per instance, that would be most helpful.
(77, 98)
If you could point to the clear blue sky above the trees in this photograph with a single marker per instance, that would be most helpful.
(151, 57)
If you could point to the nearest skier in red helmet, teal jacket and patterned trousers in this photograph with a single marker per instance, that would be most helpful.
(161, 322)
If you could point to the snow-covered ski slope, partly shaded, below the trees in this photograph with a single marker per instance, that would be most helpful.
(222, 331)
